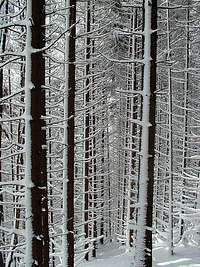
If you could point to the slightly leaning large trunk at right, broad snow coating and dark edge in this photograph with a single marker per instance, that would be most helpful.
(144, 229)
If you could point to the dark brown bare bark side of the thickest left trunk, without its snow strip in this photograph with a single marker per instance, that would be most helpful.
(39, 202)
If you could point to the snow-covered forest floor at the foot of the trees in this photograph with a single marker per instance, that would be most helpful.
(116, 256)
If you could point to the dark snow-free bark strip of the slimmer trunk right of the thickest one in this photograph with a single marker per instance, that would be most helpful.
(71, 133)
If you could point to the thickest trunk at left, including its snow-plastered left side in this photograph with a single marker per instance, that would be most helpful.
(37, 239)
